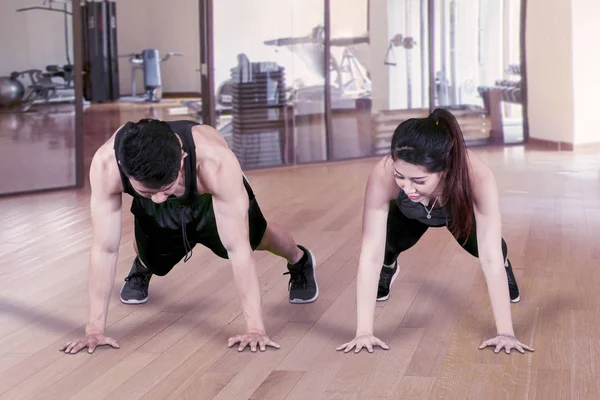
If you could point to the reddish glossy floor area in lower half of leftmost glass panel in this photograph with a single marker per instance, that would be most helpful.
(37, 149)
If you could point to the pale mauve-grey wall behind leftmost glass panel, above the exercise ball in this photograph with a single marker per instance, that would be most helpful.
(32, 39)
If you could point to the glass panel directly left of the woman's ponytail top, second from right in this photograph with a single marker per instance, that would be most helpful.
(383, 51)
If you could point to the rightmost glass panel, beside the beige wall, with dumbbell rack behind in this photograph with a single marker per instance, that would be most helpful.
(477, 67)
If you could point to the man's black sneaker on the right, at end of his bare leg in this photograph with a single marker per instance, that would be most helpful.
(303, 286)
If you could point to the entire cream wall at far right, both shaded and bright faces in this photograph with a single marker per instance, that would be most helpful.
(562, 69)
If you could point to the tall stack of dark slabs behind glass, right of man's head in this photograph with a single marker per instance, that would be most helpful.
(260, 117)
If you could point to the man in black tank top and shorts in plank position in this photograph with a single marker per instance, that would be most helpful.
(187, 188)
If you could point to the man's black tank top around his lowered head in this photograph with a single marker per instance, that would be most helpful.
(175, 212)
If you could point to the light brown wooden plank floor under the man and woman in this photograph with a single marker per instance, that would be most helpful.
(174, 347)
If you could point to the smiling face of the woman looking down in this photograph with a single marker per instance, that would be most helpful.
(416, 182)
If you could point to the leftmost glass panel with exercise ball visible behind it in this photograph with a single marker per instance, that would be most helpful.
(37, 96)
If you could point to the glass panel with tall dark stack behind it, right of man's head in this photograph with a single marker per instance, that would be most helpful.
(269, 73)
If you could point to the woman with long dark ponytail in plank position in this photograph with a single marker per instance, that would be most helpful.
(431, 179)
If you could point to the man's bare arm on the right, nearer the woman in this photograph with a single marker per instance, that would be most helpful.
(230, 204)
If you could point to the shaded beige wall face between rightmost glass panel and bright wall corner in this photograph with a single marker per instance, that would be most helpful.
(549, 41)
